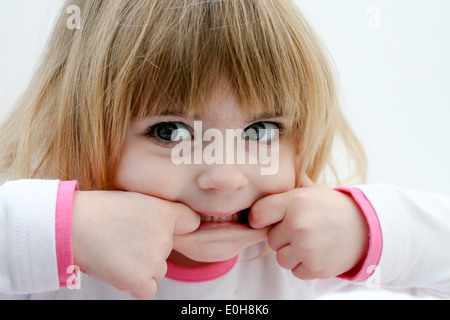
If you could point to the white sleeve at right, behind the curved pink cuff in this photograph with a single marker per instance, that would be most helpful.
(416, 239)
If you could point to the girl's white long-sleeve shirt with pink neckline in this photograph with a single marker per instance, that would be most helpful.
(415, 257)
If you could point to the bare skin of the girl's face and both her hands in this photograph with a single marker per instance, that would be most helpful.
(316, 232)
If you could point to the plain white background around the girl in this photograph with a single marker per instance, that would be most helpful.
(394, 61)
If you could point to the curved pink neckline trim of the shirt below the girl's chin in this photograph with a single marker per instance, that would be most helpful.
(200, 274)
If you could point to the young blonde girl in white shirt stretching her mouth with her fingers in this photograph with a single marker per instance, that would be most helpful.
(100, 123)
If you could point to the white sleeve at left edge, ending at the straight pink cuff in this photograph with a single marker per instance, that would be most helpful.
(27, 237)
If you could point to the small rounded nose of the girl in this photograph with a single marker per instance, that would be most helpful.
(222, 177)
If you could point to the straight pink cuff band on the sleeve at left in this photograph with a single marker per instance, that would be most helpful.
(63, 230)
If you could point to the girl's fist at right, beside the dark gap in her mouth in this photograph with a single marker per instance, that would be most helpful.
(317, 232)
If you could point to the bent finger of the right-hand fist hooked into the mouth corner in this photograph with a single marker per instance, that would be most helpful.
(267, 211)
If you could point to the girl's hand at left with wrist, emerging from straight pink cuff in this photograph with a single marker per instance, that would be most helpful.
(124, 238)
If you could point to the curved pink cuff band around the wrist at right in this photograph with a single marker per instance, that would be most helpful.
(375, 236)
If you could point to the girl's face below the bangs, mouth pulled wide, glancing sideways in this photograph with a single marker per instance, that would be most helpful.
(150, 164)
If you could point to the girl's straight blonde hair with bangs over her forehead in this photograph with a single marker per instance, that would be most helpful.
(133, 59)
